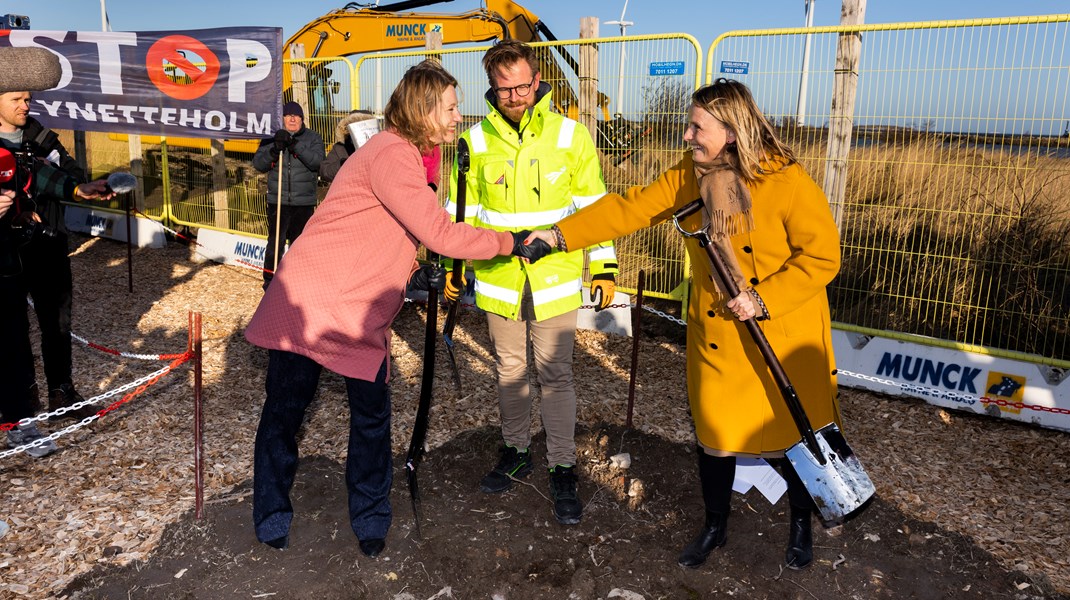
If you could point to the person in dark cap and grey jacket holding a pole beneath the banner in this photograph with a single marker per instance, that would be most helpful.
(293, 162)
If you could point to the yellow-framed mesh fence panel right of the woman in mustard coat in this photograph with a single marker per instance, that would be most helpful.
(956, 216)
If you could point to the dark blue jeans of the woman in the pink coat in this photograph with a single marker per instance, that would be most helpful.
(293, 380)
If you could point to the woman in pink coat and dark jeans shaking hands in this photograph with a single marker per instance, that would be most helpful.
(340, 289)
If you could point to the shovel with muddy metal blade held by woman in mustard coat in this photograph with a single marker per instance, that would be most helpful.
(828, 467)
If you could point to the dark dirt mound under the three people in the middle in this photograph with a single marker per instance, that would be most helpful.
(510, 547)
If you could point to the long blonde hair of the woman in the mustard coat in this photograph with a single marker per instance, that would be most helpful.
(731, 103)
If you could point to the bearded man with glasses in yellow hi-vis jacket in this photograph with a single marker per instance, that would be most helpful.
(531, 167)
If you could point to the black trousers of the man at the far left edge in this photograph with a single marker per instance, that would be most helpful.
(47, 269)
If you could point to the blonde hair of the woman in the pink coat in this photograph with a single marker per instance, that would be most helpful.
(415, 99)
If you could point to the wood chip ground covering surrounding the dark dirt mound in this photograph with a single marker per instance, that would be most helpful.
(109, 495)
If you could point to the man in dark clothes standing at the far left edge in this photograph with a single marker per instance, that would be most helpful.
(47, 265)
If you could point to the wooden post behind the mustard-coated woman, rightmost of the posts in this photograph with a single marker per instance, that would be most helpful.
(842, 120)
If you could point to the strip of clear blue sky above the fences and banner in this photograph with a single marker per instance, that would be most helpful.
(705, 20)
